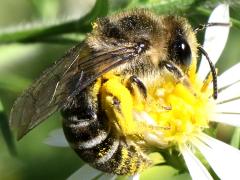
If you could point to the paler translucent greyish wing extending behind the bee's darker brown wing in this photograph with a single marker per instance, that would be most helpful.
(36, 103)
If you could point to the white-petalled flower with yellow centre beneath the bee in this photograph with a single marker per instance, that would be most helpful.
(192, 109)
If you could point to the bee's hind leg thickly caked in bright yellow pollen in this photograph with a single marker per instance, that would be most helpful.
(117, 102)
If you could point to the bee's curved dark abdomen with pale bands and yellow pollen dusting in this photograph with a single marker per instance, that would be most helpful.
(96, 140)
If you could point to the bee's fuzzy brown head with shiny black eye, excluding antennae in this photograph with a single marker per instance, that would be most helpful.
(181, 43)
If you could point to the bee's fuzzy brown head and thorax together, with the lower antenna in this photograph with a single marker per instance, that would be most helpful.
(158, 40)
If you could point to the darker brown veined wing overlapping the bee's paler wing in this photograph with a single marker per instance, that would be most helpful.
(88, 69)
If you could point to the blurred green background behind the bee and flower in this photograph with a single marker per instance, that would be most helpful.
(23, 56)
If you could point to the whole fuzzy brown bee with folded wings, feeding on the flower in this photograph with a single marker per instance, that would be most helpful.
(135, 46)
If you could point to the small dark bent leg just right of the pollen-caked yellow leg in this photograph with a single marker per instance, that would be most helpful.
(134, 80)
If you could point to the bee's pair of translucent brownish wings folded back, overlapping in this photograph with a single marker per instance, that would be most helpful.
(79, 68)
